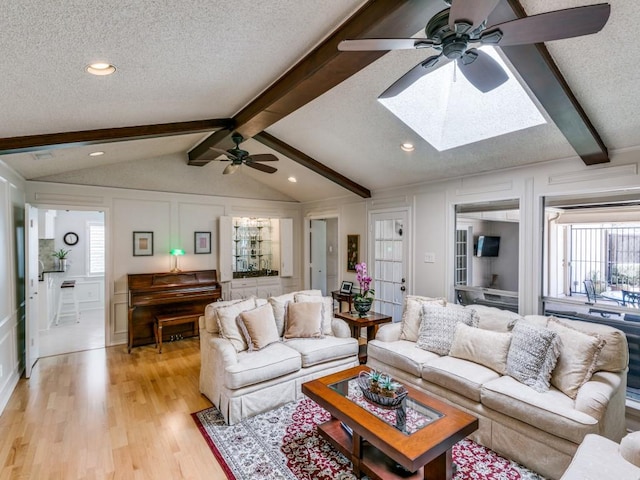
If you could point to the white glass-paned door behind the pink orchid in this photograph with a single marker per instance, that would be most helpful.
(389, 266)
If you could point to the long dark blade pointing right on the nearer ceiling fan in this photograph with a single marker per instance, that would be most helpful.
(545, 27)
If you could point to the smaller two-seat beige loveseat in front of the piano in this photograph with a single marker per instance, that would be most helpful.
(242, 382)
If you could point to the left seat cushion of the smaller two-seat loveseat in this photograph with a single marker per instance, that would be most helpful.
(259, 366)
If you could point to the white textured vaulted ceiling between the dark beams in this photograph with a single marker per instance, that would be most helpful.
(195, 59)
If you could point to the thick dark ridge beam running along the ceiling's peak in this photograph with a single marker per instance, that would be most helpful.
(323, 68)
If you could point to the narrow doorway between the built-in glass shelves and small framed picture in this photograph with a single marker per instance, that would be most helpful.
(323, 254)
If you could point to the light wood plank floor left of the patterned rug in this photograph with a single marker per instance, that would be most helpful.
(107, 414)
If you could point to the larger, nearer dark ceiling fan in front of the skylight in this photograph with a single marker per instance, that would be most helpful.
(456, 31)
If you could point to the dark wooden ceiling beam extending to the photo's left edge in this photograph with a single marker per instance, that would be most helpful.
(49, 141)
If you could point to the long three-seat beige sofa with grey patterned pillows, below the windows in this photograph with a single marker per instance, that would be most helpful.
(539, 429)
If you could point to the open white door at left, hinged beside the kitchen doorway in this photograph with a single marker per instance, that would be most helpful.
(32, 348)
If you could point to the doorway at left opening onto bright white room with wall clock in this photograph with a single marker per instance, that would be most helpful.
(72, 318)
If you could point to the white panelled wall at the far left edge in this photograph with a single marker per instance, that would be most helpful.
(12, 326)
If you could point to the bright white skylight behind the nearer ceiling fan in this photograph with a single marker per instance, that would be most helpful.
(448, 111)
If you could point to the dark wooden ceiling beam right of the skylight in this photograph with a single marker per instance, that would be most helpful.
(538, 69)
